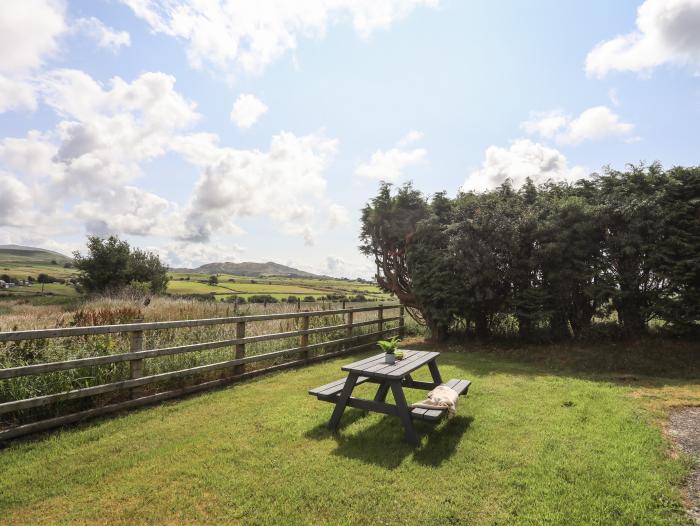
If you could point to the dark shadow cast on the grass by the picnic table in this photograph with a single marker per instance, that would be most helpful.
(383, 442)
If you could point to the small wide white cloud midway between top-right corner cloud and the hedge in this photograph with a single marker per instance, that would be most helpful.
(592, 124)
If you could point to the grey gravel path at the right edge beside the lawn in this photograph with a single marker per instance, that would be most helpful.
(684, 428)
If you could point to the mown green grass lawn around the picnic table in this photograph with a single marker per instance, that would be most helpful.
(533, 443)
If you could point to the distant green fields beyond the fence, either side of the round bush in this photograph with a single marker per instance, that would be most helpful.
(19, 266)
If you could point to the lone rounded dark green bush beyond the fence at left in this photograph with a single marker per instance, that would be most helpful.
(111, 264)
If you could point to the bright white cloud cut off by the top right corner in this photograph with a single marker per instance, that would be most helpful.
(667, 33)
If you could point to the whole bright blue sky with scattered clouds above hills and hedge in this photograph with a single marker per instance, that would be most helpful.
(212, 130)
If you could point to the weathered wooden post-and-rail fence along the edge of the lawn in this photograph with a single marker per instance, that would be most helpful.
(136, 356)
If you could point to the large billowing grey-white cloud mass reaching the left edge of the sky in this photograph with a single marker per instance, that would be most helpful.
(81, 170)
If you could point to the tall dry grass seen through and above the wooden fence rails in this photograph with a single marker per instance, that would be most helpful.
(103, 311)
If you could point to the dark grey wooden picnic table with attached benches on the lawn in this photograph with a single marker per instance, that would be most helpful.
(388, 376)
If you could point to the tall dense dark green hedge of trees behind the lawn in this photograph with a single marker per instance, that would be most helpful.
(621, 245)
